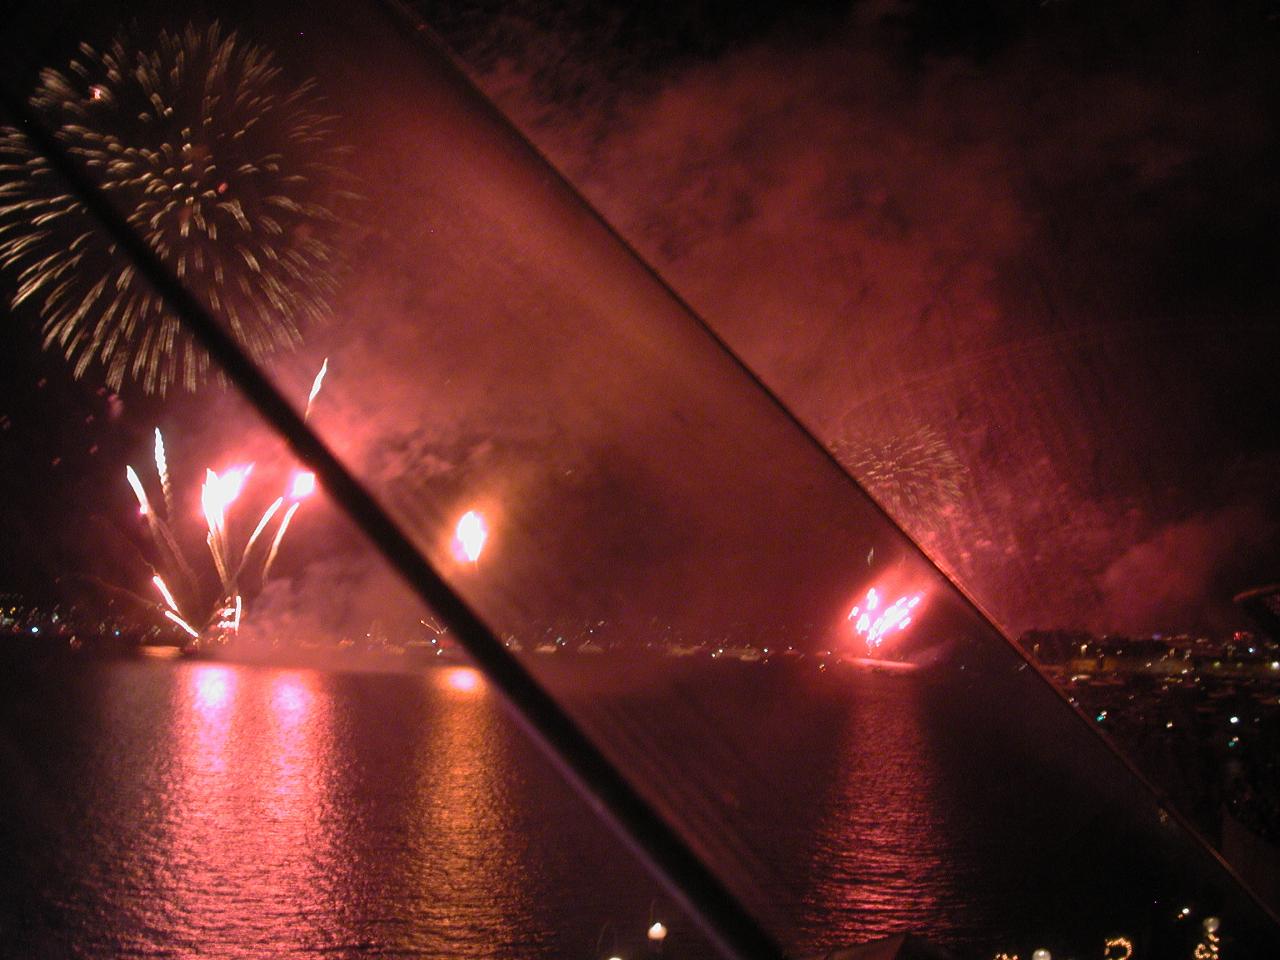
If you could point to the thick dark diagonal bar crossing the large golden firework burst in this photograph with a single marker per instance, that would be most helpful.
(691, 883)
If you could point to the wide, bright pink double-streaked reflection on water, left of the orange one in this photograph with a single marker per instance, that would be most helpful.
(250, 856)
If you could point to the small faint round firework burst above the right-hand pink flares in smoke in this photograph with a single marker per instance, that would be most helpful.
(917, 477)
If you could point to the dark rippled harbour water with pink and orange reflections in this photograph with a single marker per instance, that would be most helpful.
(212, 810)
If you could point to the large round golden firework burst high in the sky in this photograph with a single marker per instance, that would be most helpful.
(221, 166)
